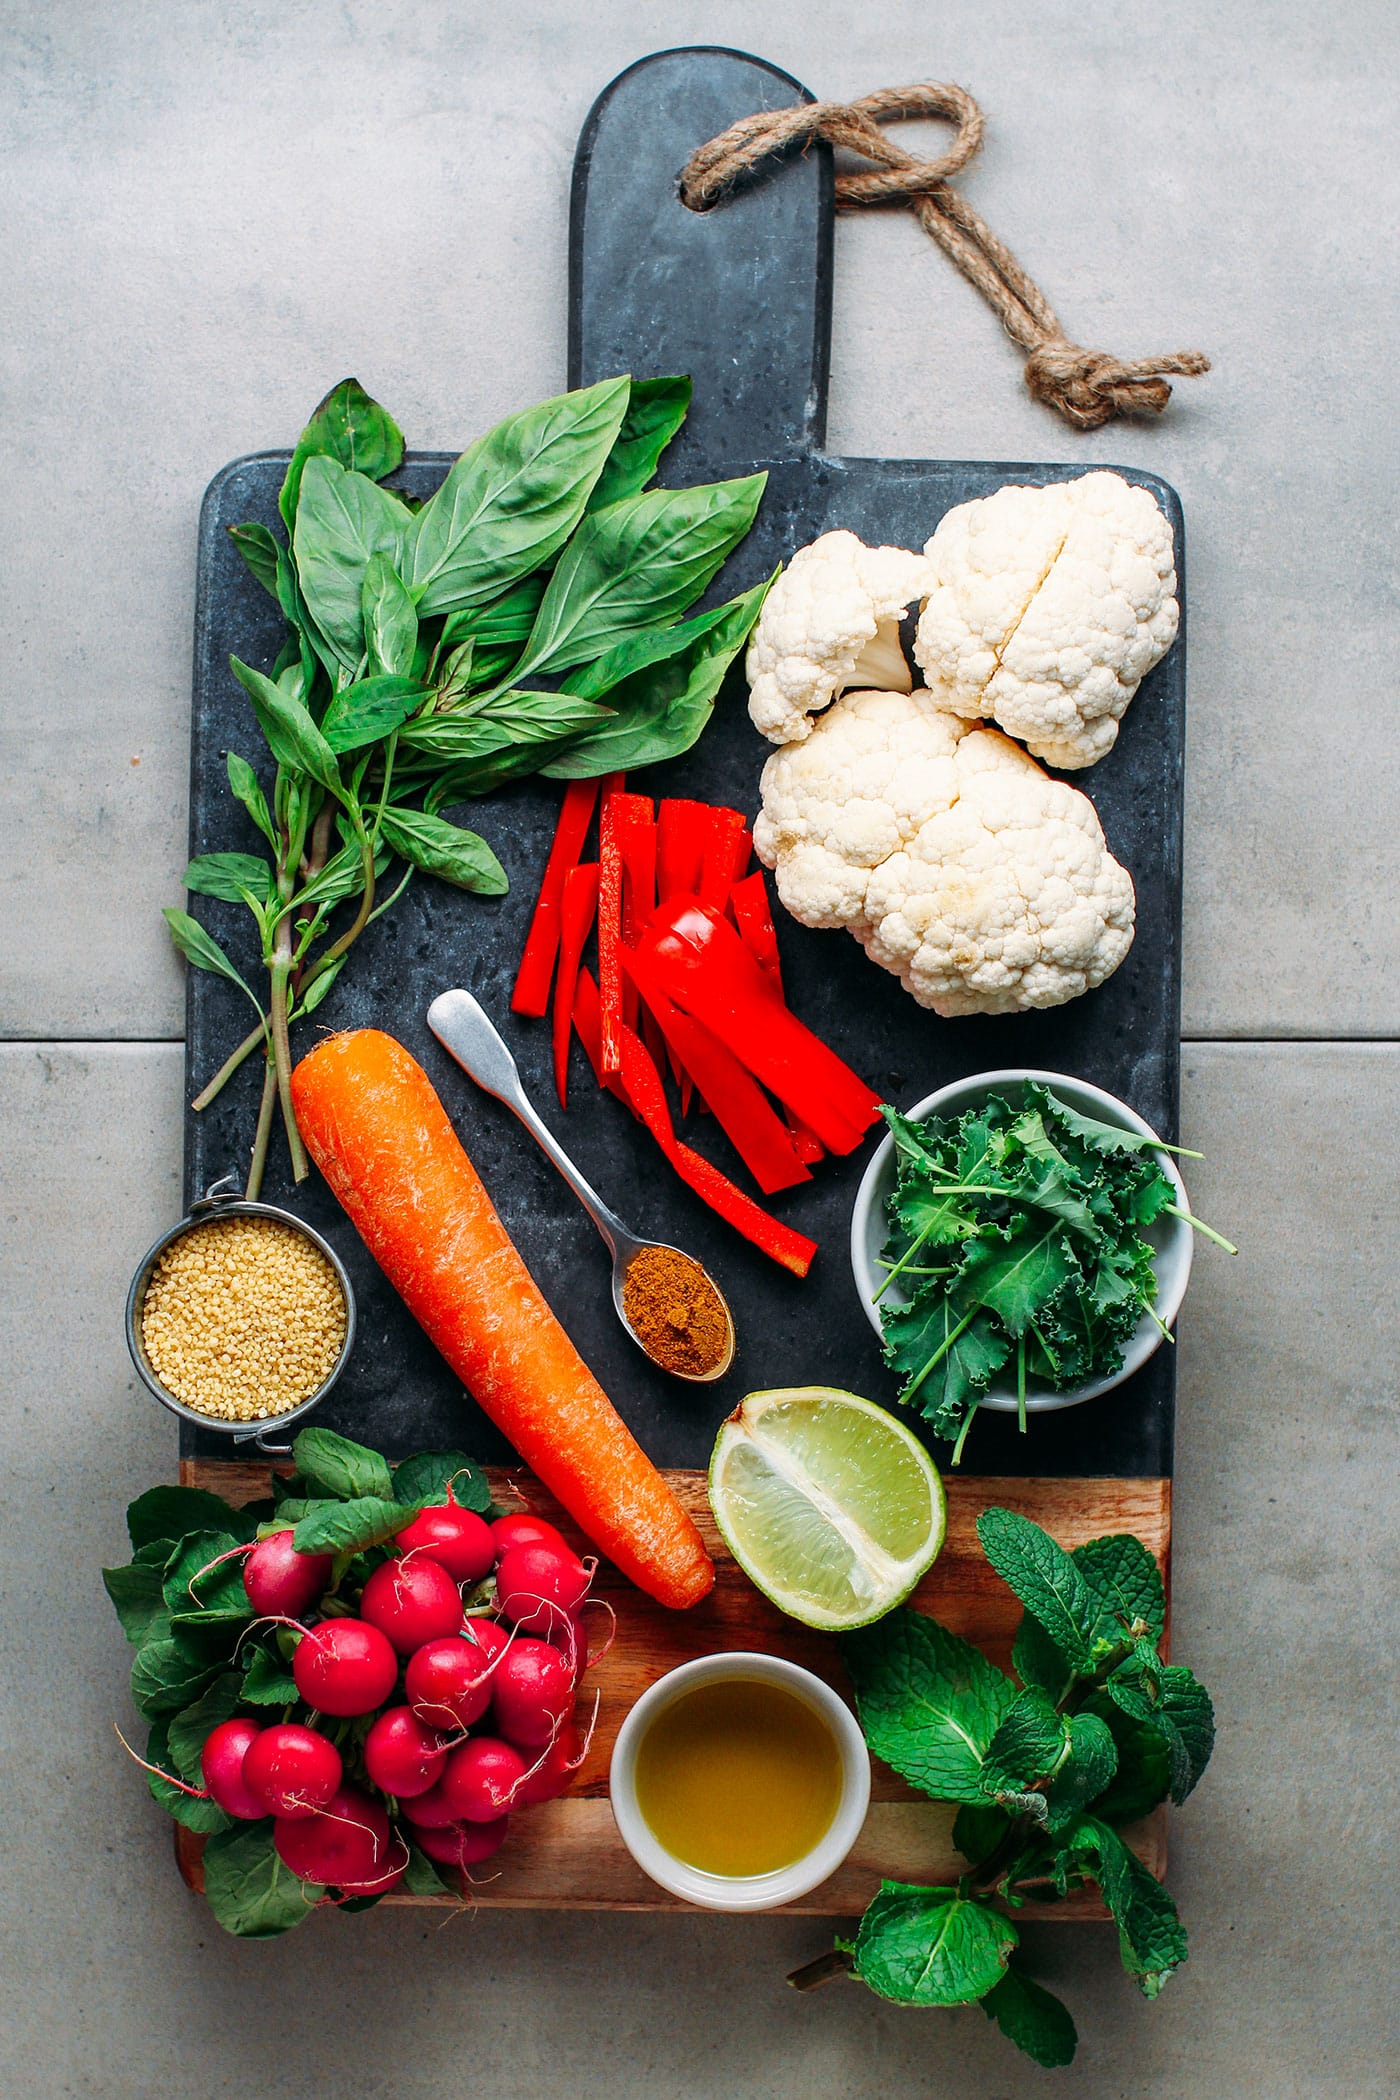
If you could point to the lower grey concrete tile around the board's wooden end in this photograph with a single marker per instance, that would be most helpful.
(123, 1988)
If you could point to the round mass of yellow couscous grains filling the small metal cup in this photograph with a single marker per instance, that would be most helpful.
(242, 1320)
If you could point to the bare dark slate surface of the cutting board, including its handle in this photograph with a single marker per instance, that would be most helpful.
(740, 299)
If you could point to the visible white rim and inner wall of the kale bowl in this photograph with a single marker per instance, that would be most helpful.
(1147, 1339)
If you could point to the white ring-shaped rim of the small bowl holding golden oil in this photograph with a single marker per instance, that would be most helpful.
(759, 1891)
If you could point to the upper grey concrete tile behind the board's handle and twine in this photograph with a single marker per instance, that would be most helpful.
(217, 213)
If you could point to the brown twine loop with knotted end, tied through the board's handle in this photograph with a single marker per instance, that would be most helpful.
(1086, 387)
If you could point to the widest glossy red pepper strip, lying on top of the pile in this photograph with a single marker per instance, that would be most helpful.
(706, 969)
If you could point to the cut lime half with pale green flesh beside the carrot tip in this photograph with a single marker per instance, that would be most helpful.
(828, 1505)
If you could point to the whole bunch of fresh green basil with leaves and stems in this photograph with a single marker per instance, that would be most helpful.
(419, 644)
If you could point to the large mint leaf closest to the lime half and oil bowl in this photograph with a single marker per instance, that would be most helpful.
(929, 1702)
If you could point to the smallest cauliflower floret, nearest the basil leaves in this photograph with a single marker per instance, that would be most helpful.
(830, 621)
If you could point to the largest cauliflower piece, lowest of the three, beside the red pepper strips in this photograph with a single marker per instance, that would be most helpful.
(962, 868)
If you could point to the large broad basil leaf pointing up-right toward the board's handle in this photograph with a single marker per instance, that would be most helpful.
(513, 499)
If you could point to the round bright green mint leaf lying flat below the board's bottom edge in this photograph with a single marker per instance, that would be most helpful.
(931, 1946)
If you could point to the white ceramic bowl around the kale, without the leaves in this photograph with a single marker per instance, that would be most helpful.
(1170, 1238)
